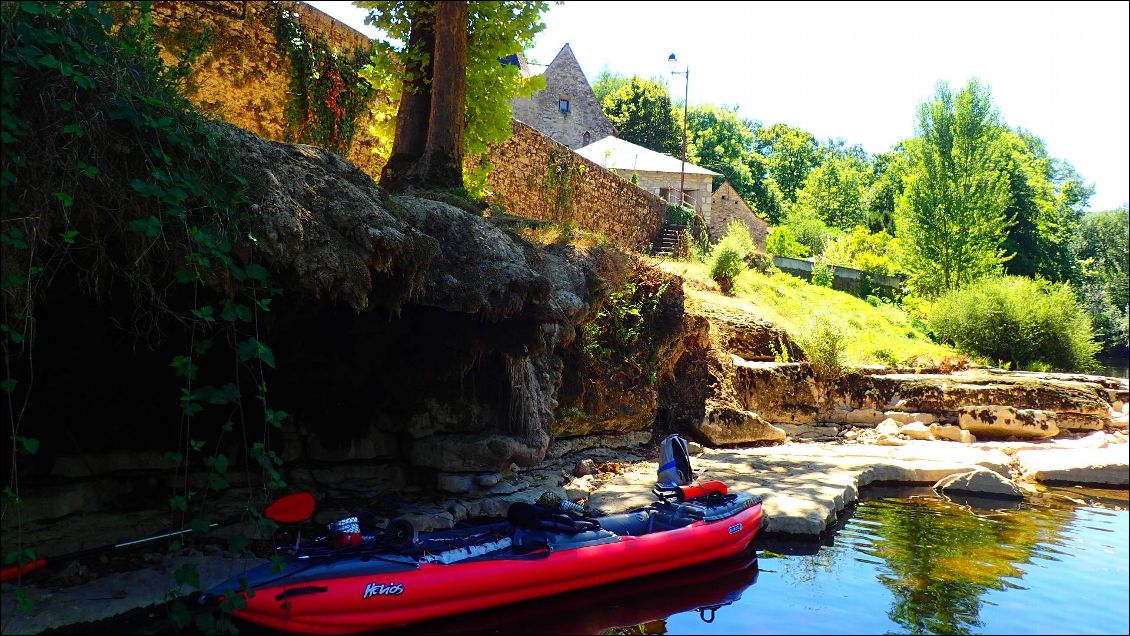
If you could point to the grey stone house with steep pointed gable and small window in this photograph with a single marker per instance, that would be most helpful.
(567, 110)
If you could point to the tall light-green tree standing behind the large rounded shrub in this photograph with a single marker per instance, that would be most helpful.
(952, 216)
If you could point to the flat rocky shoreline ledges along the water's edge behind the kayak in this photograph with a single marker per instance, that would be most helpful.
(806, 486)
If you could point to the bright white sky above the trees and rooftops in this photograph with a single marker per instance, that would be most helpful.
(859, 71)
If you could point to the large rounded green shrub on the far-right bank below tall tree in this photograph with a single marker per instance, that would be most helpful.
(1018, 320)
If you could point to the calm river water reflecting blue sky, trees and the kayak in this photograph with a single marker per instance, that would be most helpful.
(898, 565)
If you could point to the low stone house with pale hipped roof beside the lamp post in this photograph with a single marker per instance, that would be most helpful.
(655, 172)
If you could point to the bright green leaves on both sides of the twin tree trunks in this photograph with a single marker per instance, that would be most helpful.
(496, 31)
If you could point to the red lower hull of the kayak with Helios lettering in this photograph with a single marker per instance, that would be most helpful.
(379, 600)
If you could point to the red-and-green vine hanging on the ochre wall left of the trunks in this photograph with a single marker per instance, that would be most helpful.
(328, 94)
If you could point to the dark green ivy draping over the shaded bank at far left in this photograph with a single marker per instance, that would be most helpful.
(110, 176)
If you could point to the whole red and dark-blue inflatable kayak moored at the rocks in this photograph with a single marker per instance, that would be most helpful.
(357, 582)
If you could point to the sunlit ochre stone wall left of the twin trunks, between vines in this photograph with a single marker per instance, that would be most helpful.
(244, 77)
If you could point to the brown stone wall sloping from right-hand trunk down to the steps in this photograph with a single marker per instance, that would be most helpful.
(598, 199)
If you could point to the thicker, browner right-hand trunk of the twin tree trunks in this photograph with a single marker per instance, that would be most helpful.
(444, 158)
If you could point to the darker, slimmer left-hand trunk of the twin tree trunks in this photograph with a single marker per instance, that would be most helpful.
(415, 101)
